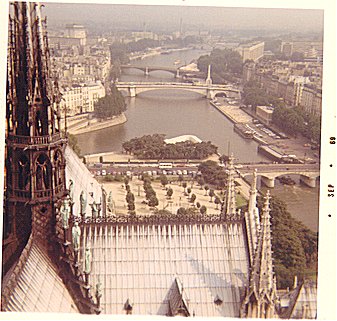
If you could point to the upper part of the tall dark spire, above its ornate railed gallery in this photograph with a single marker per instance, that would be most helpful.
(31, 96)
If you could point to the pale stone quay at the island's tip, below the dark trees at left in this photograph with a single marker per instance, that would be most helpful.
(87, 125)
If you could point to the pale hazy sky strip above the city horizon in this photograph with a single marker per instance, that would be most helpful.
(210, 17)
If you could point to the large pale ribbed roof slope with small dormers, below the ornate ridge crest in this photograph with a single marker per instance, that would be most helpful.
(164, 269)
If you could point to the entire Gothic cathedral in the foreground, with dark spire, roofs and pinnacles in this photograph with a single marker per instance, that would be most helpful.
(64, 251)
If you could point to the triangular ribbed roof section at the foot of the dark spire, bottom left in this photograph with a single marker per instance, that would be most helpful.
(34, 285)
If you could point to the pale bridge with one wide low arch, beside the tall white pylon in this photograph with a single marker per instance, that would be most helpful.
(208, 91)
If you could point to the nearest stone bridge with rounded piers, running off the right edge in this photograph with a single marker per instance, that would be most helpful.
(269, 172)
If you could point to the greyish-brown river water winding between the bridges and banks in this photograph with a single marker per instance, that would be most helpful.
(178, 112)
